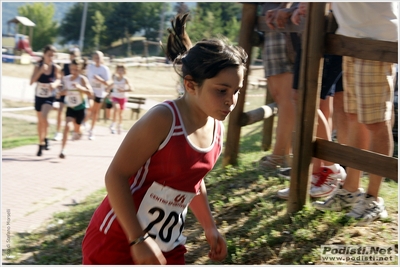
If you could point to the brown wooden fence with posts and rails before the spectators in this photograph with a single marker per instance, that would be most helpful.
(317, 40)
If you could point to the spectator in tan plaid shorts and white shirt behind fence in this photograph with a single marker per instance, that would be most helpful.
(368, 98)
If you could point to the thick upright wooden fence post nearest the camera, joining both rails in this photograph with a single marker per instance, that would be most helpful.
(312, 46)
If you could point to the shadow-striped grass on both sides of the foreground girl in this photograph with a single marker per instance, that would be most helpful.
(247, 211)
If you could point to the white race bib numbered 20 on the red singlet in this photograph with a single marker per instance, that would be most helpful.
(162, 214)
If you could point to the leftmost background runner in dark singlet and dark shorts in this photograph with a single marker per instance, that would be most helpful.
(47, 76)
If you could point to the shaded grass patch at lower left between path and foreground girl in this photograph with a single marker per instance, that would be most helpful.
(59, 241)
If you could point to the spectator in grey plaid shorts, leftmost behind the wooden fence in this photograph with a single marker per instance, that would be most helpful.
(279, 73)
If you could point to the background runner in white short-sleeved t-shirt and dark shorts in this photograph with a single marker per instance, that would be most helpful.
(99, 76)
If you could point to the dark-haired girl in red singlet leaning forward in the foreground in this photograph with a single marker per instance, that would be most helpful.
(159, 168)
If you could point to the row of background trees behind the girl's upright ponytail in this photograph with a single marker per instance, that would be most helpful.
(126, 19)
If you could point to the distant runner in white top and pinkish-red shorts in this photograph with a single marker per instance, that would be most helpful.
(120, 87)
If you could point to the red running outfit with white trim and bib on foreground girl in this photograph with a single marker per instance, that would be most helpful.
(162, 190)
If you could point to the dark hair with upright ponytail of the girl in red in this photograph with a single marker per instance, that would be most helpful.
(205, 59)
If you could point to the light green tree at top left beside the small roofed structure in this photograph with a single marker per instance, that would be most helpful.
(46, 29)
